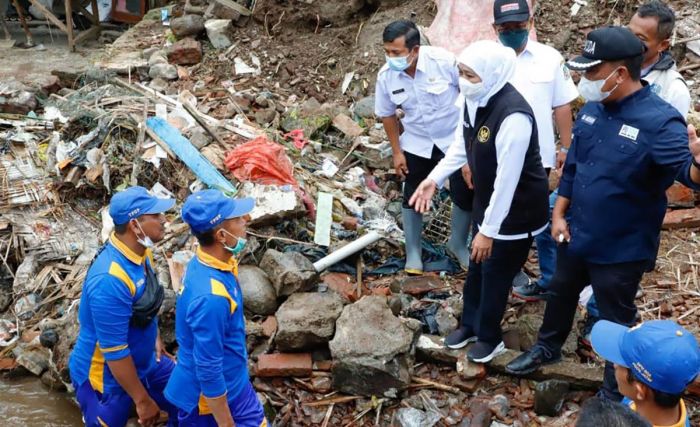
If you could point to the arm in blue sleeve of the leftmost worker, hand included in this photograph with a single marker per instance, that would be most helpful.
(110, 303)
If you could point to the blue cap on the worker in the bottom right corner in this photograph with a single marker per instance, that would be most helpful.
(660, 353)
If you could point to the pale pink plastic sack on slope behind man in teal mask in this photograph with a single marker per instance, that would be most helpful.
(459, 23)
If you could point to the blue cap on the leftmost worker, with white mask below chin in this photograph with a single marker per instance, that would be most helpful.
(134, 202)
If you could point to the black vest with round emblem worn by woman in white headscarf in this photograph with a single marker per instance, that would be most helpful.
(529, 209)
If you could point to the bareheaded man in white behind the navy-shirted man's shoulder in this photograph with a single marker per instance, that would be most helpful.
(653, 25)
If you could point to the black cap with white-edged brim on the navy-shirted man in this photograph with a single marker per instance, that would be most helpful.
(607, 44)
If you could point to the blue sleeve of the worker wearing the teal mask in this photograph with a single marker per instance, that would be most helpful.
(207, 318)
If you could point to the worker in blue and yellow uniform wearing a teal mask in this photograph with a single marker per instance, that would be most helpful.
(210, 385)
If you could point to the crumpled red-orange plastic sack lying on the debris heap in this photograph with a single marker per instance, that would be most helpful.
(261, 161)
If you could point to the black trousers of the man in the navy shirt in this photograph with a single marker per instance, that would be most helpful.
(614, 288)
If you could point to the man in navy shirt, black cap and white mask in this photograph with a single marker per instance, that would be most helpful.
(627, 149)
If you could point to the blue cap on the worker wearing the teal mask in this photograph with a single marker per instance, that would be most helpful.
(206, 209)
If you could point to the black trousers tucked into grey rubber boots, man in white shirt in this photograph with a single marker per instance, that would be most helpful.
(419, 168)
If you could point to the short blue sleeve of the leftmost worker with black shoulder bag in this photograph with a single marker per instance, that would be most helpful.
(110, 303)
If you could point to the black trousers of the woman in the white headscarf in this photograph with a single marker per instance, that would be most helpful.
(487, 287)
